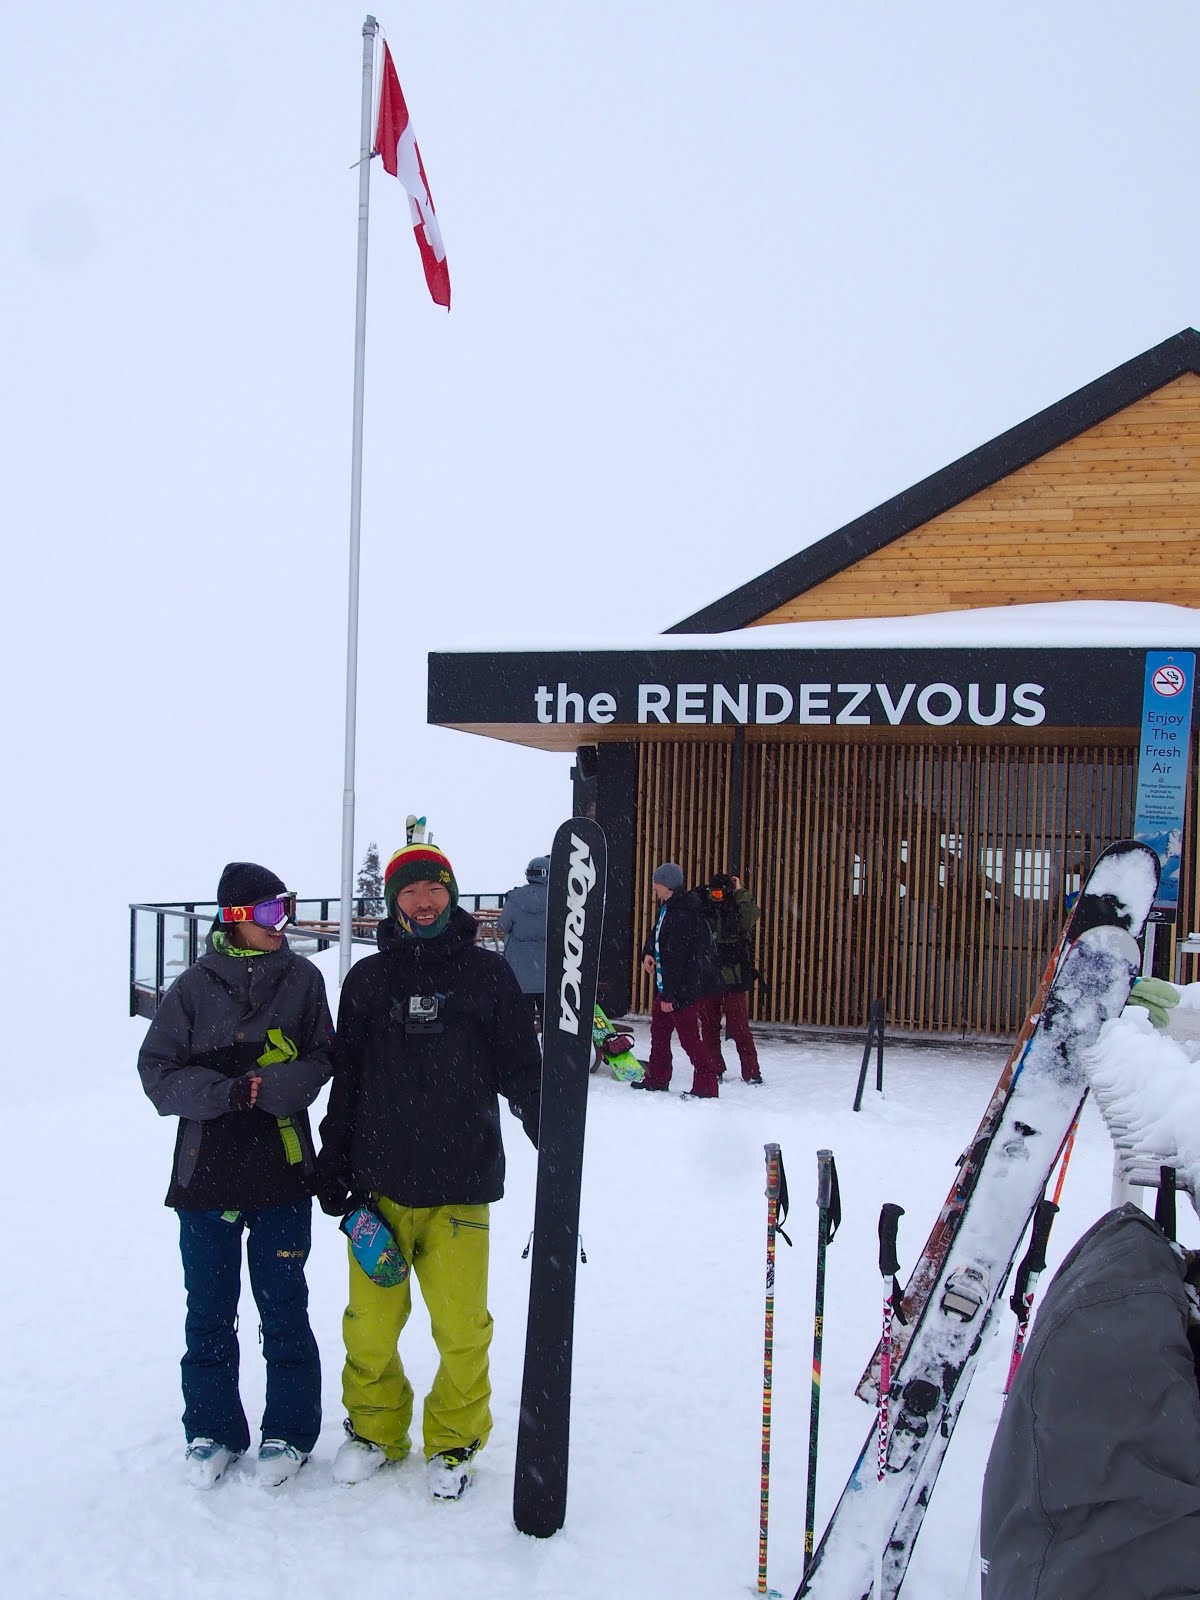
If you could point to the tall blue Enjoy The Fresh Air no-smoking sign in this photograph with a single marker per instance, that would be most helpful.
(1162, 769)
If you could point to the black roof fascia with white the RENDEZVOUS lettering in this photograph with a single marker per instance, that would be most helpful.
(839, 689)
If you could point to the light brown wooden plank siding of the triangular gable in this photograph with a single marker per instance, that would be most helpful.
(1113, 514)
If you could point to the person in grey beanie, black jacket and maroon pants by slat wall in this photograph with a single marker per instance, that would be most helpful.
(679, 956)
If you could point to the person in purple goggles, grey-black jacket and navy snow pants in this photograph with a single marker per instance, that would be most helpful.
(238, 1050)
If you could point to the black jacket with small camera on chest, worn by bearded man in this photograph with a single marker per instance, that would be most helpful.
(414, 1110)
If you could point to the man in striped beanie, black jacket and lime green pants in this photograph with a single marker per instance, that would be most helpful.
(431, 1031)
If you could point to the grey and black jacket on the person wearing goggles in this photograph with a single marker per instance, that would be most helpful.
(209, 1031)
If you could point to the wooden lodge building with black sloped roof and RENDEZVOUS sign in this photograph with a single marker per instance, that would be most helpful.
(910, 815)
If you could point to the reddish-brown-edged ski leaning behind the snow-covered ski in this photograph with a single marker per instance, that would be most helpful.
(1118, 892)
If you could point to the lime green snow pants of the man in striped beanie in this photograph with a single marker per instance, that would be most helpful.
(447, 1249)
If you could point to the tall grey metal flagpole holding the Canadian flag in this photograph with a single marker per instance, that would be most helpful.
(370, 30)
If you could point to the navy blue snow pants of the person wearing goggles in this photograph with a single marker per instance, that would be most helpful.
(278, 1247)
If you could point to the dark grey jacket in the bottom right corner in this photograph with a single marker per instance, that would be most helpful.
(1094, 1484)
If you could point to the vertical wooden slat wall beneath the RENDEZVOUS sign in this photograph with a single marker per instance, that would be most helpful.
(930, 876)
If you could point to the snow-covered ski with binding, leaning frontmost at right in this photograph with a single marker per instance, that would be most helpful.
(930, 1377)
